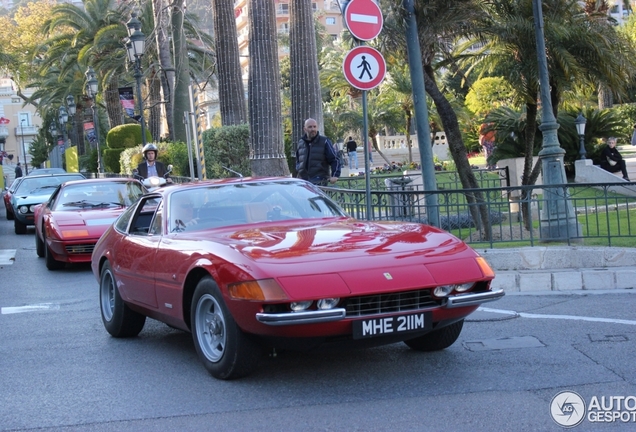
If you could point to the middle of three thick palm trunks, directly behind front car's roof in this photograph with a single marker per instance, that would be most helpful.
(265, 119)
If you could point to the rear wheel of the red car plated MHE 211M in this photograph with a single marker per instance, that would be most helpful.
(119, 320)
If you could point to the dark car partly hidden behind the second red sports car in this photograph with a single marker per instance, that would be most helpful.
(31, 191)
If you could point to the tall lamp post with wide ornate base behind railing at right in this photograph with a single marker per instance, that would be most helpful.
(557, 220)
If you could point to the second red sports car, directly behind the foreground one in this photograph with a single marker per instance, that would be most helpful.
(69, 224)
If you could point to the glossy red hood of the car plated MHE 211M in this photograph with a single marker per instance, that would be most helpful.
(351, 256)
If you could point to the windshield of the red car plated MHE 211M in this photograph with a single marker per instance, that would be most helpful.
(244, 203)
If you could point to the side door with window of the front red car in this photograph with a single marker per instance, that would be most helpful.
(135, 264)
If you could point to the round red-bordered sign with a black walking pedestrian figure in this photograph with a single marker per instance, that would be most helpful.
(364, 67)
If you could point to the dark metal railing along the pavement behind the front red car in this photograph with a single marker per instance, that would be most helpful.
(517, 214)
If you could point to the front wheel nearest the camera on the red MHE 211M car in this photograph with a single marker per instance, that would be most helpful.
(226, 352)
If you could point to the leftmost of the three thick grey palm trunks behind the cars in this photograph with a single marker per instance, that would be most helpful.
(231, 91)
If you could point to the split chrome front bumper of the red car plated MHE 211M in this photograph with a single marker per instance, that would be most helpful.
(320, 316)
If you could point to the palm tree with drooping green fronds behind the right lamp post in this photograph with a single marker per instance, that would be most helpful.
(578, 50)
